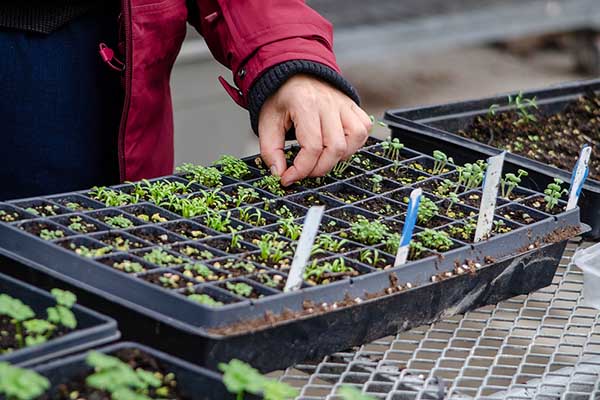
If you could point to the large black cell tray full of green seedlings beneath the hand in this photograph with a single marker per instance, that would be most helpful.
(220, 295)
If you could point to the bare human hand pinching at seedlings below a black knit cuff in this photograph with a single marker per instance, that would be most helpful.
(329, 127)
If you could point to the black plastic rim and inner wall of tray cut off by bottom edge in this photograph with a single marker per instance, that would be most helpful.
(193, 382)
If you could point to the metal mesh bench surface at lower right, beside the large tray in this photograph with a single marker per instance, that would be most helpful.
(545, 345)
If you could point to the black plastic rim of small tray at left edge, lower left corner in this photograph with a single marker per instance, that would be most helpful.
(92, 330)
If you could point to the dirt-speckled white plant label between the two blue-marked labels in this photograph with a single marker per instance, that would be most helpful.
(491, 184)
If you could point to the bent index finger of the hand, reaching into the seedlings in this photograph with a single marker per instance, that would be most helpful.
(308, 134)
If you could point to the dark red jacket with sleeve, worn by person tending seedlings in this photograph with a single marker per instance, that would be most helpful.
(247, 36)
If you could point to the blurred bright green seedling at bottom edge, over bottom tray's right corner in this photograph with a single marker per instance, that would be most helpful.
(241, 378)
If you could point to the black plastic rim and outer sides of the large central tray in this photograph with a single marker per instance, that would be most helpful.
(168, 320)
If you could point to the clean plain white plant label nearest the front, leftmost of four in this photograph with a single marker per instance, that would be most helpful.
(305, 245)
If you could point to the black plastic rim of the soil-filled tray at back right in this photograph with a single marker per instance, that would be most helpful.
(434, 127)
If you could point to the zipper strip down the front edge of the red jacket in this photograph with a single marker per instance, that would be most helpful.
(126, 15)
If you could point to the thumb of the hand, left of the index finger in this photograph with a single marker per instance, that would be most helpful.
(271, 135)
